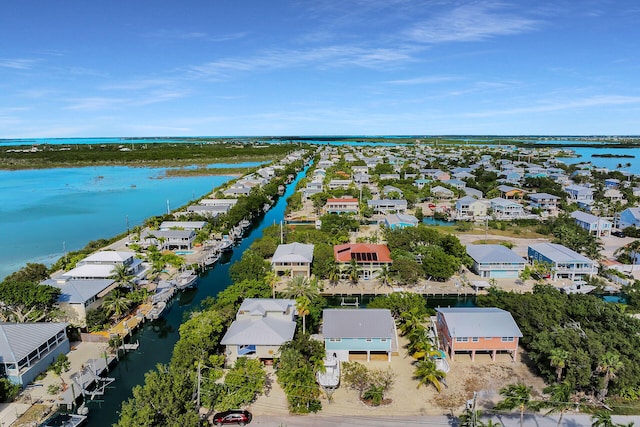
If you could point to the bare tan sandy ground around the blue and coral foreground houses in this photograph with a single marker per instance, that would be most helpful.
(465, 377)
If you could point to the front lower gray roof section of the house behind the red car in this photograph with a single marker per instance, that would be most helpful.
(262, 331)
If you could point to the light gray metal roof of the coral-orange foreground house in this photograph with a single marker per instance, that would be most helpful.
(479, 322)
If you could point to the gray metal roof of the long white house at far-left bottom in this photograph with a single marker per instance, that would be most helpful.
(17, 340)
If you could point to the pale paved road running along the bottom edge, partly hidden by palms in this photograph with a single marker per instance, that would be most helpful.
(568, 420)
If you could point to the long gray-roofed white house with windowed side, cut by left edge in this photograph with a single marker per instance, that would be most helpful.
(27, 349)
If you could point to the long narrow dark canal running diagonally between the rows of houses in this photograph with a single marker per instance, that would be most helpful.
(158, 338)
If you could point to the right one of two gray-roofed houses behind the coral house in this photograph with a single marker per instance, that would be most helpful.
(495, 261)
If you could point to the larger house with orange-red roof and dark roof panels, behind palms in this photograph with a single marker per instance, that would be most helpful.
(369, 258)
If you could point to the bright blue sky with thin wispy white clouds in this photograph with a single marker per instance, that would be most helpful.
(77, 68)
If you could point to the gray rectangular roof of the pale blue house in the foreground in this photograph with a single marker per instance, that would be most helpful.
(357, 323)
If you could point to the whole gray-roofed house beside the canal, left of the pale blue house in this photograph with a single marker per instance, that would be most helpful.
(261, 326)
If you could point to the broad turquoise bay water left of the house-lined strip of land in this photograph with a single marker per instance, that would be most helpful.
(44, 213)
